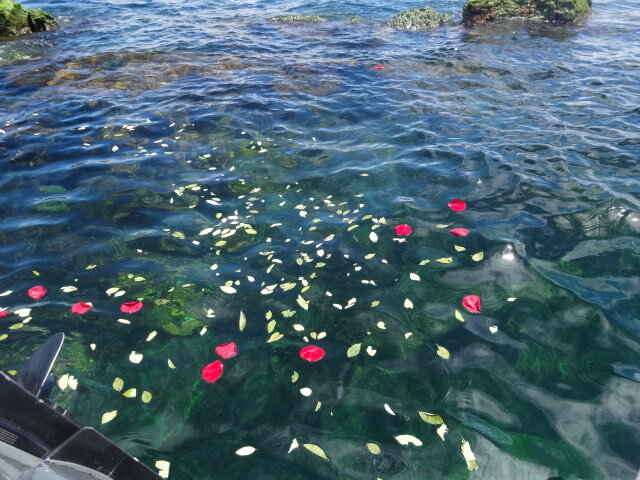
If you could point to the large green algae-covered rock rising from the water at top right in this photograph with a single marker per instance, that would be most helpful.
(560, 11)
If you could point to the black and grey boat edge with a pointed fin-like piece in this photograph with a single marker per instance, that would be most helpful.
(40, 441)
